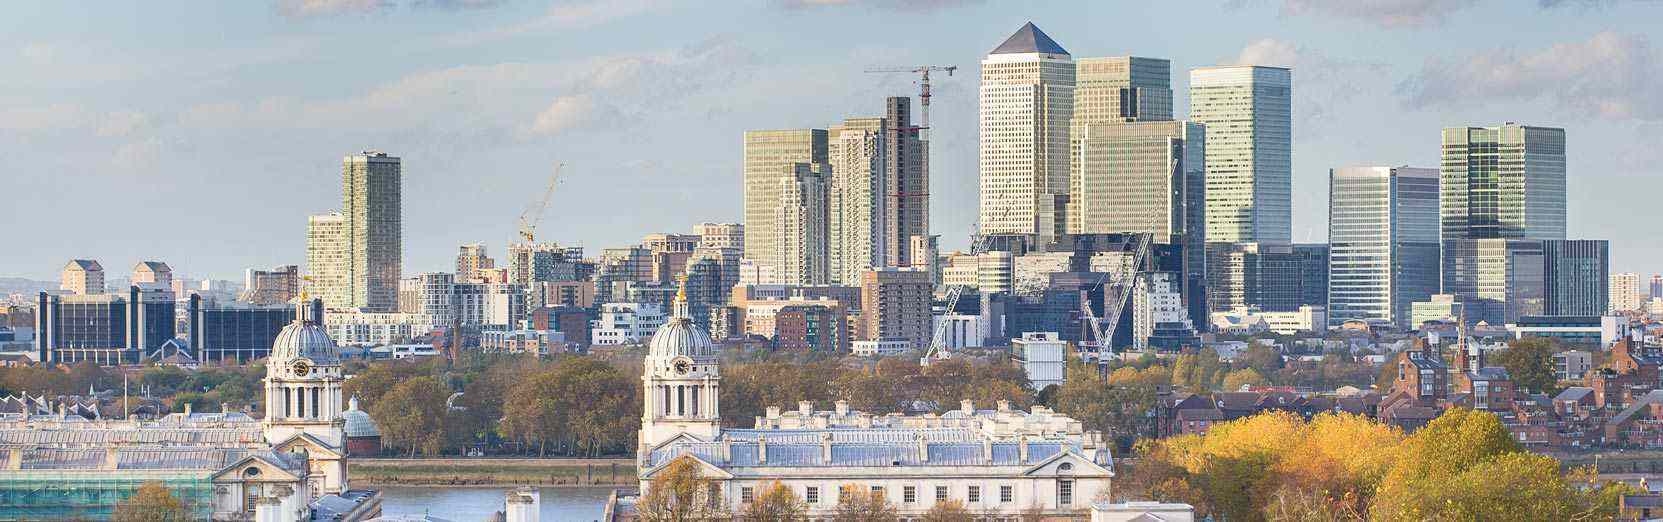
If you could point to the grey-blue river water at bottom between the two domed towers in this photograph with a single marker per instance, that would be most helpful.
(480, 503)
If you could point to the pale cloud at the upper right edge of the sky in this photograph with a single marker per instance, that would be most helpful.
(1611, 76)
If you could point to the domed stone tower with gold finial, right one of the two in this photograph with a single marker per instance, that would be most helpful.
(681, 382)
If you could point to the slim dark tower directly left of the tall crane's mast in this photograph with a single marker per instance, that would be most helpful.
(909, 177)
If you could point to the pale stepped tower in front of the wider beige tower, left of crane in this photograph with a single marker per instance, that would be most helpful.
(801, 257)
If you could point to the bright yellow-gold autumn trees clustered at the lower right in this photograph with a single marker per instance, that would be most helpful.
(1275, 466)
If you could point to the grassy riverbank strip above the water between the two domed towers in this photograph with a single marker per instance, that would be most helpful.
(373, 473)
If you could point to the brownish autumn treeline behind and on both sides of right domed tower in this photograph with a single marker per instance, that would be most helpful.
(591, 406)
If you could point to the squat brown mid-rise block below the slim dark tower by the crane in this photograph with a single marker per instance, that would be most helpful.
(896, 305)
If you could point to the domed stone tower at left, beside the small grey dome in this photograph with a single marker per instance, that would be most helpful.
(303, 398)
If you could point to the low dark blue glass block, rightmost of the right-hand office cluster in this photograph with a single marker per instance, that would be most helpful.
(1577, 273)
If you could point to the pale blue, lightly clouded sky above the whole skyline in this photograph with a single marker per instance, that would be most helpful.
(205, 134)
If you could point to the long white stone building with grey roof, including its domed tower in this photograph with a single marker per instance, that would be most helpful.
(999, 463)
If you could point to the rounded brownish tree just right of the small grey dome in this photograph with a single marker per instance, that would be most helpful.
(412, 416)
